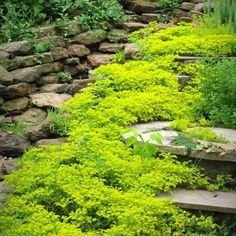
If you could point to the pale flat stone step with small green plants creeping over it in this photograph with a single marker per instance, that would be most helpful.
(205, 150)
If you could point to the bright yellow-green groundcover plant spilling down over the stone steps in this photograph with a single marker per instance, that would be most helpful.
(94, 184)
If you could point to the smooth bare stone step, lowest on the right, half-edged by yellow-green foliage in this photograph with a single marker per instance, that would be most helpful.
(224, 202)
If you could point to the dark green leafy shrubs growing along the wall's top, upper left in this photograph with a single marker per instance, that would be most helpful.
(16, 18)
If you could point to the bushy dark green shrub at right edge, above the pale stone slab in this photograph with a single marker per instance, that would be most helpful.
(219, 93)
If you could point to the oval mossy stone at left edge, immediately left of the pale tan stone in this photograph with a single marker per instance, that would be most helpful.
(16, 105)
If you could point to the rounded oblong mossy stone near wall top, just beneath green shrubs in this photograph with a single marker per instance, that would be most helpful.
(90, 37)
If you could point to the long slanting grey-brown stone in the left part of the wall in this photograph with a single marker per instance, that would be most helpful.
(30, 74)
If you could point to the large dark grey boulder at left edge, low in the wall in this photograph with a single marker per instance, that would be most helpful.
(12, 145)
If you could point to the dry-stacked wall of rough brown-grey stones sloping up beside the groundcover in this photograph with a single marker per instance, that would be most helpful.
(30, 82)
